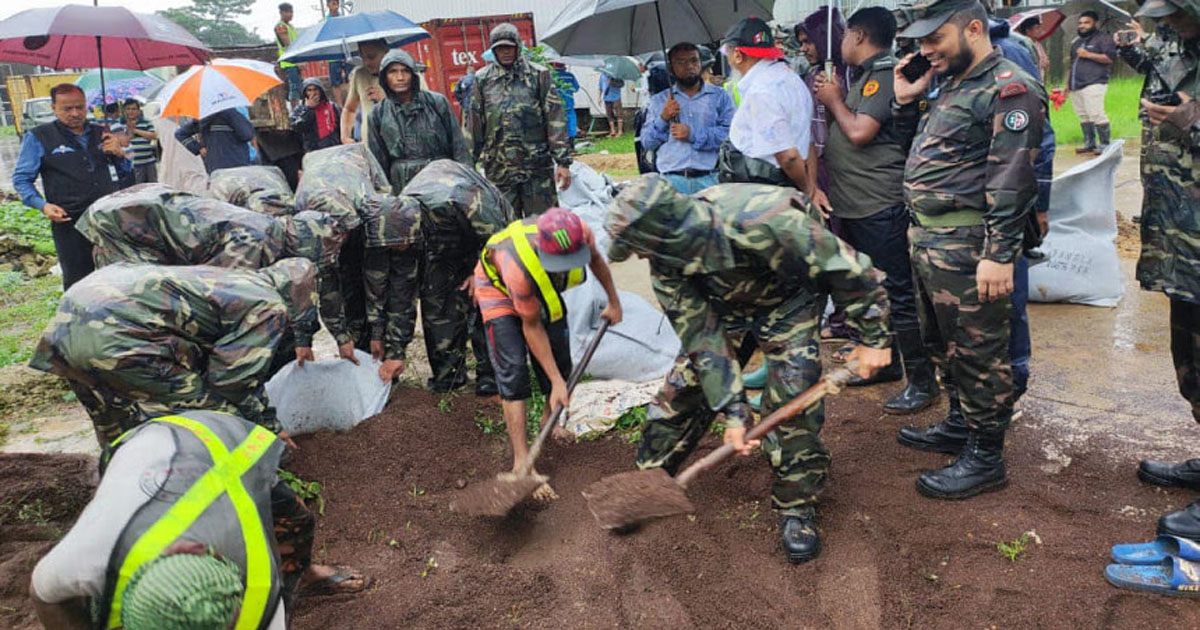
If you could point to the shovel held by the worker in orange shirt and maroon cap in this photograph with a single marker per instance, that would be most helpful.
(497, 497)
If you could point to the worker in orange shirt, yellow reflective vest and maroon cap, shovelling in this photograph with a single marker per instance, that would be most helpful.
(518, 285)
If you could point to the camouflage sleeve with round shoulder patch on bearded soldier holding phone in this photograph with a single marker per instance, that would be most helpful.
(1012, 189)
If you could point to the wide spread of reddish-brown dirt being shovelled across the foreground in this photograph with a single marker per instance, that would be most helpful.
(891, 559)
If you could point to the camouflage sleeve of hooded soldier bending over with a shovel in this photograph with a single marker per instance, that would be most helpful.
(806, 249)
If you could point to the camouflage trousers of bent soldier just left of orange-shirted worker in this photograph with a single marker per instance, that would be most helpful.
(448, 320)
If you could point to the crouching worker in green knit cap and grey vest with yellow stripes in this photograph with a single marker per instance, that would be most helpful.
(189, 530)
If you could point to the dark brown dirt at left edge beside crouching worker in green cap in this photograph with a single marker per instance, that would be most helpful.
(40, 499)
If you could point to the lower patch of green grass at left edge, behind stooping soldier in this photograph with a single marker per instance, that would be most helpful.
(26, 307)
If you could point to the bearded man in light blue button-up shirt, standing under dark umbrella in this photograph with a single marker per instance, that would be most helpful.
(687, 124)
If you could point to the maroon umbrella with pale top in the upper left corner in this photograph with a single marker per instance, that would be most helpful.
(97, 37)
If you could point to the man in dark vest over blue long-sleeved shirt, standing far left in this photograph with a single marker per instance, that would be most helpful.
(80, 163)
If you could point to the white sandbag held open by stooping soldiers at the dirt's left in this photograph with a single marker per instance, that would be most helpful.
(334, 395)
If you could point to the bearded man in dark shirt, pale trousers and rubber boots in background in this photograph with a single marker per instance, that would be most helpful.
(1091, 63)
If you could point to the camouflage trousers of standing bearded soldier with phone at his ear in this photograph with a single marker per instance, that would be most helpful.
(967, 338)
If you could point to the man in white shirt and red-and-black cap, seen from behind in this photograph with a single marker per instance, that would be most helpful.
(775, 119)
